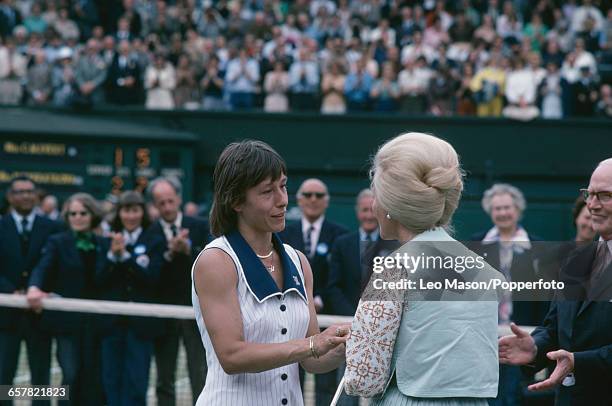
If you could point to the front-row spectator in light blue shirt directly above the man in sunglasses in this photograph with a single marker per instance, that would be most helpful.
(303, 82)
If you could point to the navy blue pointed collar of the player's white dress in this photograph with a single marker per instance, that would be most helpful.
(257, 277)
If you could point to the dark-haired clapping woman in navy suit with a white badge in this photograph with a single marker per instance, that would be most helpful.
(136, 258)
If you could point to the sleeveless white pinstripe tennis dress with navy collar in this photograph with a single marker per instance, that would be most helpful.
(269, 315)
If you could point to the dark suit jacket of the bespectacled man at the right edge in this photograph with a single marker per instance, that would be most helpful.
(580, 321)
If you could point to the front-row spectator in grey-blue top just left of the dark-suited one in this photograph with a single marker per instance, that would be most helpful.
(90, 76)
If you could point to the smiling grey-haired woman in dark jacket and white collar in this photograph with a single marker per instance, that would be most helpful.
(507, 247)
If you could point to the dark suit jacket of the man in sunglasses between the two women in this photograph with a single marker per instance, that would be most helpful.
(292, 235)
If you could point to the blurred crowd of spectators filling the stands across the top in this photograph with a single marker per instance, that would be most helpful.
(519, 58)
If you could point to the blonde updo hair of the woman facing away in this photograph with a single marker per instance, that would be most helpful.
(417, 179)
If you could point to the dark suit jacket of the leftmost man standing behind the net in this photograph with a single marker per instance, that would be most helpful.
(15, 269)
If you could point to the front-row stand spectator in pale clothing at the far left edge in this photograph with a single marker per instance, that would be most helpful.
(13, 67)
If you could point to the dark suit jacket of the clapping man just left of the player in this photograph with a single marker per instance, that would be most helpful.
(175, 279)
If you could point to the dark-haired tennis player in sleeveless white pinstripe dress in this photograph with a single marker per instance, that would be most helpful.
(252, 294)
